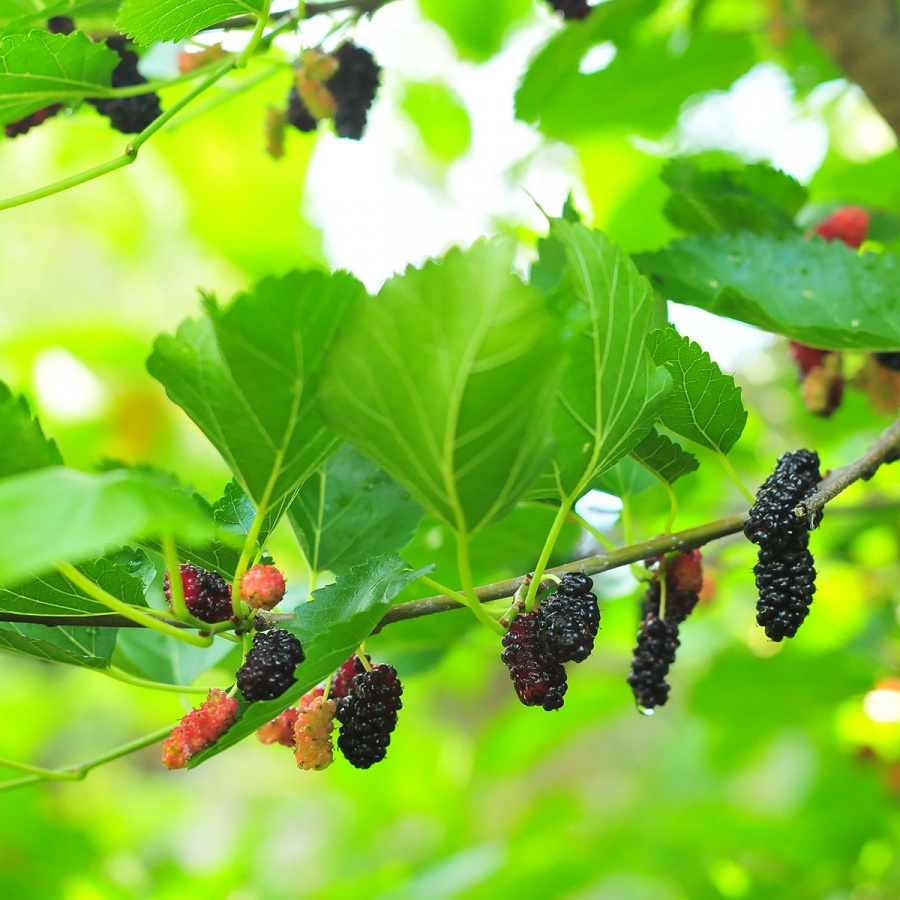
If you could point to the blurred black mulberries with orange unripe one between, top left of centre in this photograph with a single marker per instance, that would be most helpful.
(350, 89)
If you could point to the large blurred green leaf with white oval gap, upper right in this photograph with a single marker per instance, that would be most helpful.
(642, 89)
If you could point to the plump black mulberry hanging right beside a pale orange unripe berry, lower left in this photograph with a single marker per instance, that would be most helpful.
(368, 715)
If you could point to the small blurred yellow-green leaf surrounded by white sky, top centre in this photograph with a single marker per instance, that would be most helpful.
(440, 118)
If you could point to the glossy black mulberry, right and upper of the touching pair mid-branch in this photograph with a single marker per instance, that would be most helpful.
(568, 620)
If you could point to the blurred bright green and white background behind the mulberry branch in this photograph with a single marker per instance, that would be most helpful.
(773, 772)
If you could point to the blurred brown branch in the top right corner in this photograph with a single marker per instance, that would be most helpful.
(863, 38)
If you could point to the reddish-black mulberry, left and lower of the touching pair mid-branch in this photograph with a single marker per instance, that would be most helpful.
(538, 680)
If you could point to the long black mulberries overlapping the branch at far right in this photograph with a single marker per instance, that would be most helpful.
(785, 575)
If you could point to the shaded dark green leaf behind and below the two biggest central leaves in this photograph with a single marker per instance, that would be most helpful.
(351, 510)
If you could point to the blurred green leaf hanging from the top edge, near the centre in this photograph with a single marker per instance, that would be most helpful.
(477, 33)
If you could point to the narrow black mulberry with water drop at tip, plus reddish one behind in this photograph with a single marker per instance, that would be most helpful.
(657, 640)
